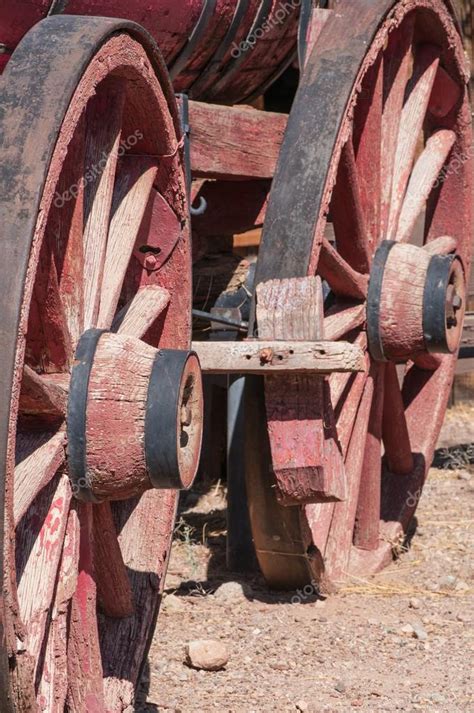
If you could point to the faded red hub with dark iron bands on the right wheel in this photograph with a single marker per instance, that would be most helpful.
(415, 304)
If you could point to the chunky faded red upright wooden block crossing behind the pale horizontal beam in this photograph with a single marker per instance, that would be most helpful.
(306, 456)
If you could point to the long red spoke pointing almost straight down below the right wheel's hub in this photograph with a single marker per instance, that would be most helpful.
(366, 531)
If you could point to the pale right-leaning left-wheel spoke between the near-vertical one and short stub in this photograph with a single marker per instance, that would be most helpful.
(133, 187)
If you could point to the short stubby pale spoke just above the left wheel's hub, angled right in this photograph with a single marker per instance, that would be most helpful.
(136, 318)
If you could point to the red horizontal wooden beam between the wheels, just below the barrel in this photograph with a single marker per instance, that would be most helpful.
(234, 142)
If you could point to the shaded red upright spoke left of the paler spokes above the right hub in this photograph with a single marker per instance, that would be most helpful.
(367, 137)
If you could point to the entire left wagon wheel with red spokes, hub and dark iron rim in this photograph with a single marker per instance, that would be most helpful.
(95, 274)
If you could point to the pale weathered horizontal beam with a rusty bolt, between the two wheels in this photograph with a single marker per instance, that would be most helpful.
(279, 357)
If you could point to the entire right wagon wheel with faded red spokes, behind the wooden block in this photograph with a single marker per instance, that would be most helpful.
(377, 150)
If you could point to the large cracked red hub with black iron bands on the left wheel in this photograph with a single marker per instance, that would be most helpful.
(134, 417)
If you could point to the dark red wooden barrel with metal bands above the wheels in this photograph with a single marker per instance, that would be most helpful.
(225, 51)
